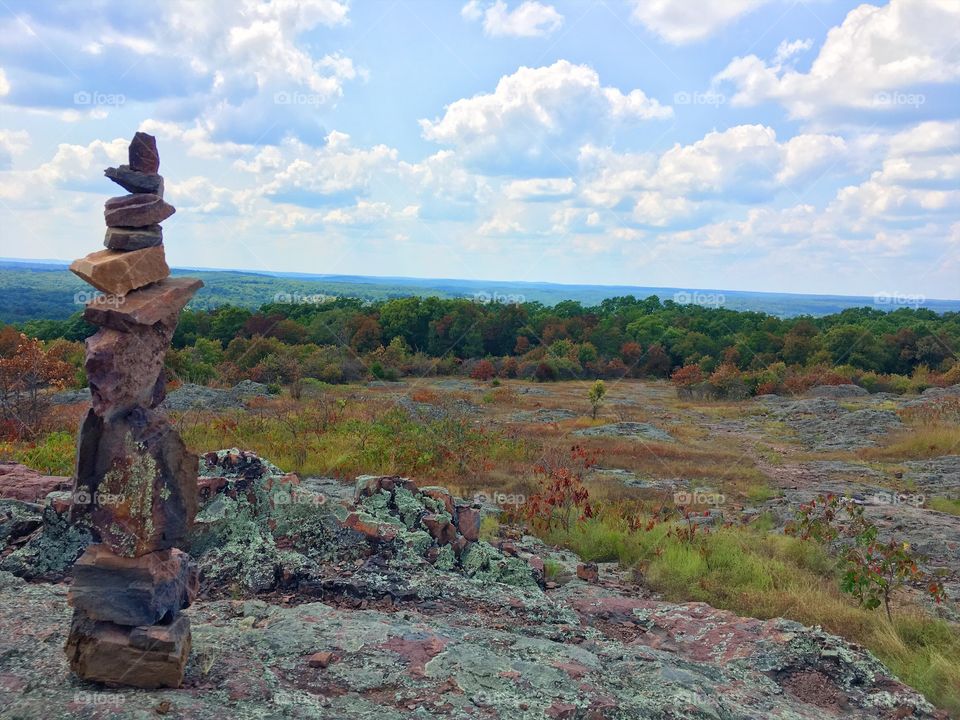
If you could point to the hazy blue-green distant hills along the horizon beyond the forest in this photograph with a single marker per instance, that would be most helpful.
(42, 289)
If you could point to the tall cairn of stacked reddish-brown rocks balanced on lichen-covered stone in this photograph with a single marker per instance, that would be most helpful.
(136, 482)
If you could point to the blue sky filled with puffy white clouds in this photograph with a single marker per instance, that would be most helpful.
(805, 146)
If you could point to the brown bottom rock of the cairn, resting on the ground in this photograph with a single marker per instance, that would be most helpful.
(145, 657)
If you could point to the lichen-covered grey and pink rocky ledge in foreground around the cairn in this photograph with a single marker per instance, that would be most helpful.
(318, 600)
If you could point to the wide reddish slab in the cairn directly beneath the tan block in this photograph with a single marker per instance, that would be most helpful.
(157, 303)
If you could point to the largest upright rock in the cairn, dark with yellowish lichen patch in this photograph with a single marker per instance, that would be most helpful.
(139, 481)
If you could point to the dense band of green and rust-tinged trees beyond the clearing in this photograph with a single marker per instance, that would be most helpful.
(713, 351)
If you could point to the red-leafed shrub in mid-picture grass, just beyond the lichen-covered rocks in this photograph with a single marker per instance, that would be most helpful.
(562, 498)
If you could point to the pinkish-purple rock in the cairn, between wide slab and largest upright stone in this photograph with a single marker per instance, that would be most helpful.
(123, 366)
